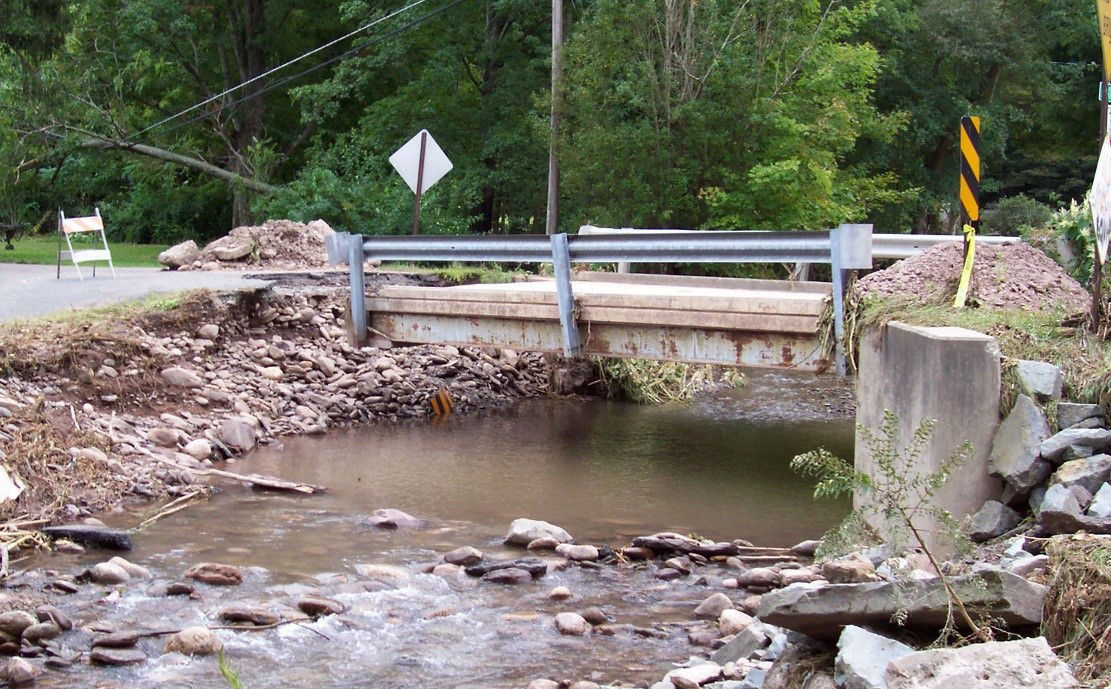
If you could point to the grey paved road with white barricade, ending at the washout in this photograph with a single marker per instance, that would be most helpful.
(34, 291)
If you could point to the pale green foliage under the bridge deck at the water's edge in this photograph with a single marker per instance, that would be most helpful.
(647, 382)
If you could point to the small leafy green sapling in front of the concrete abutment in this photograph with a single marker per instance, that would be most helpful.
(896, 500)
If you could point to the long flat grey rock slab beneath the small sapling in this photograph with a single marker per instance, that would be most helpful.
(820, 612)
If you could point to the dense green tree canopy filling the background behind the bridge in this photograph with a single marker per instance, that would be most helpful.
(690, 114)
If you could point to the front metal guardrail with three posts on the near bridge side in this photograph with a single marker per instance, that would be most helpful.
(846, 248)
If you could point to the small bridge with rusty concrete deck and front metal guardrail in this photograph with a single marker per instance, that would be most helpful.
(766, 324)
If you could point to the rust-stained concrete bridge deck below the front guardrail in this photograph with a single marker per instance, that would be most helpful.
(765, 324)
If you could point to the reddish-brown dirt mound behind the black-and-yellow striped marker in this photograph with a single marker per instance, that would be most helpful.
(1004, 277)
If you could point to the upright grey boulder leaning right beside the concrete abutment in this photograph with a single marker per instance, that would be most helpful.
(1016, 451)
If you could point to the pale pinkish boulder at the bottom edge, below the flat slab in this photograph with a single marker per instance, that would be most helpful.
(1027, 663)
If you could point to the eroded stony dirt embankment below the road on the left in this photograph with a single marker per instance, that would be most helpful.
(141, 406)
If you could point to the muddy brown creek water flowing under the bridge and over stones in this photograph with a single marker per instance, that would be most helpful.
(605, 472)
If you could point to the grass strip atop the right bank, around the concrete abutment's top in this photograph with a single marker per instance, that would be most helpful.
(1084, 357)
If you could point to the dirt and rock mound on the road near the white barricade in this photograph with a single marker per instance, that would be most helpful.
(276, 245)
